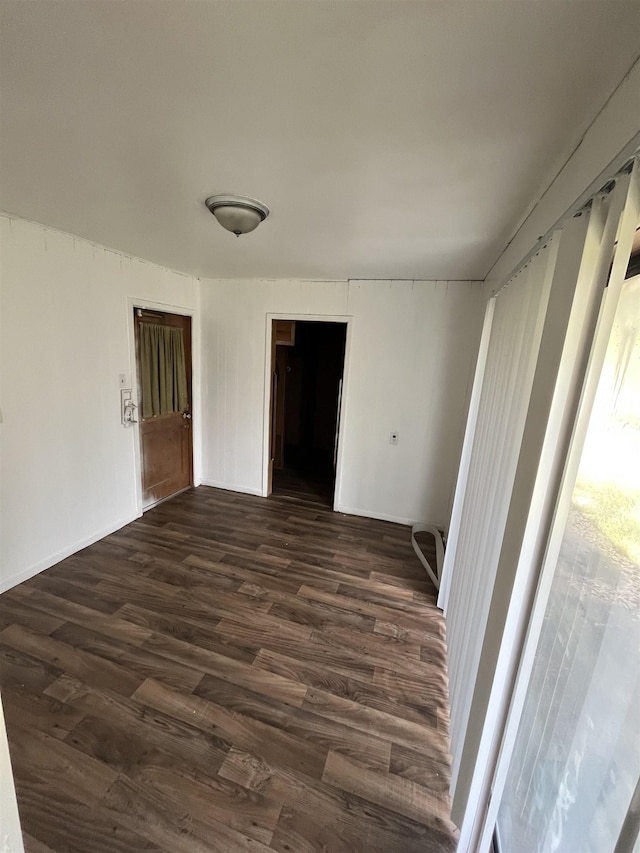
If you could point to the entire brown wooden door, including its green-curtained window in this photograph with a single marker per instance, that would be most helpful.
(163, 363)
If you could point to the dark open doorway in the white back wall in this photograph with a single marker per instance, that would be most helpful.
(307, 366)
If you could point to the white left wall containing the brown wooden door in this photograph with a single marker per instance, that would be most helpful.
(67, 464)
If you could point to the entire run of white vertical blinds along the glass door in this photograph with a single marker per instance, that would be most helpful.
(575, 260)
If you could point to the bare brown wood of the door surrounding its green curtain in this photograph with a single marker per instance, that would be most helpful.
(166, 439)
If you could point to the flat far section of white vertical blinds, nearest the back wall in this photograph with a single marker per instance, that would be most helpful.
(472, 556)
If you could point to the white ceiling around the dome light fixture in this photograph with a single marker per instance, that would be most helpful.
(390, 139)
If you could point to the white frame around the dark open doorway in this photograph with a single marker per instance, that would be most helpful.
(347, 320)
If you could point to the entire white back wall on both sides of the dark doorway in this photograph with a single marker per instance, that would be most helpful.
(411, 350)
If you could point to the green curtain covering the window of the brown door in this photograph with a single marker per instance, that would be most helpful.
(163, 373)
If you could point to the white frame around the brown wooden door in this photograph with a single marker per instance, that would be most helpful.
(150, 305)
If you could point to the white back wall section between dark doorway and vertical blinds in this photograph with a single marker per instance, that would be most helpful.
(412, 355)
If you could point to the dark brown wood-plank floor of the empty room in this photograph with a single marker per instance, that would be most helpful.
(230, 673)
